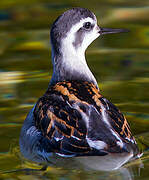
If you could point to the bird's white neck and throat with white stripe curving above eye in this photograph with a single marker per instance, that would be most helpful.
(71, 63)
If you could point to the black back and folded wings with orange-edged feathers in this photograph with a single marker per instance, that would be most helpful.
(76, 120)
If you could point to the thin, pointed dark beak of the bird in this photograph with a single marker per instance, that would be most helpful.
(111, 31)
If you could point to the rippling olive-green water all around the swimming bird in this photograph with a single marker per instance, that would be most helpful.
(119, 62)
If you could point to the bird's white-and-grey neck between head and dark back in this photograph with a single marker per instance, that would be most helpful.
(70, 64)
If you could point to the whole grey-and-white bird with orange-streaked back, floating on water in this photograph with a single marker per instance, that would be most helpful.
(73, 119)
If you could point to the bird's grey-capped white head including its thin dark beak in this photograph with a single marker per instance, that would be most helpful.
(76, 29)
